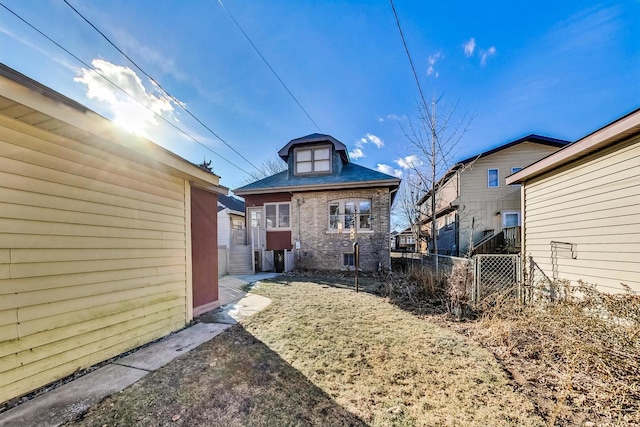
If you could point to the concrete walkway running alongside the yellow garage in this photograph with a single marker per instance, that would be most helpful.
(72, 399)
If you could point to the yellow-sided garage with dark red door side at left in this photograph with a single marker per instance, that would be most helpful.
(107, 240)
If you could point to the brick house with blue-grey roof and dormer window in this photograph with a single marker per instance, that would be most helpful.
(310, 207)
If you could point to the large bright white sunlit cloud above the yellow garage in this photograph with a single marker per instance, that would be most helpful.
(128, 113)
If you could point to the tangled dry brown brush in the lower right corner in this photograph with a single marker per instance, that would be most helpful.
(578, 358)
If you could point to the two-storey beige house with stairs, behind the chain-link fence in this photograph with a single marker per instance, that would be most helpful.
(473, 204)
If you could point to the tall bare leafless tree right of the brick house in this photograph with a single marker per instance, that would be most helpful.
(434, 137)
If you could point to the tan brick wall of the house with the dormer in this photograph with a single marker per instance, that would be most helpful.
(322, 249)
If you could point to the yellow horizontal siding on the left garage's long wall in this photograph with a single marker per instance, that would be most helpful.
(93, 256)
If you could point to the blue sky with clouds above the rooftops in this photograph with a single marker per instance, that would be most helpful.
(557, 68)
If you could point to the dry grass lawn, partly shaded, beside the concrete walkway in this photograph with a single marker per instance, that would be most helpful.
(324, 355)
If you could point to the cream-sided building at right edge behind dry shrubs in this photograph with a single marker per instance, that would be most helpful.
(582, 208)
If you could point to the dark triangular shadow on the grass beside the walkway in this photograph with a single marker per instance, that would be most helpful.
(232, 380)
